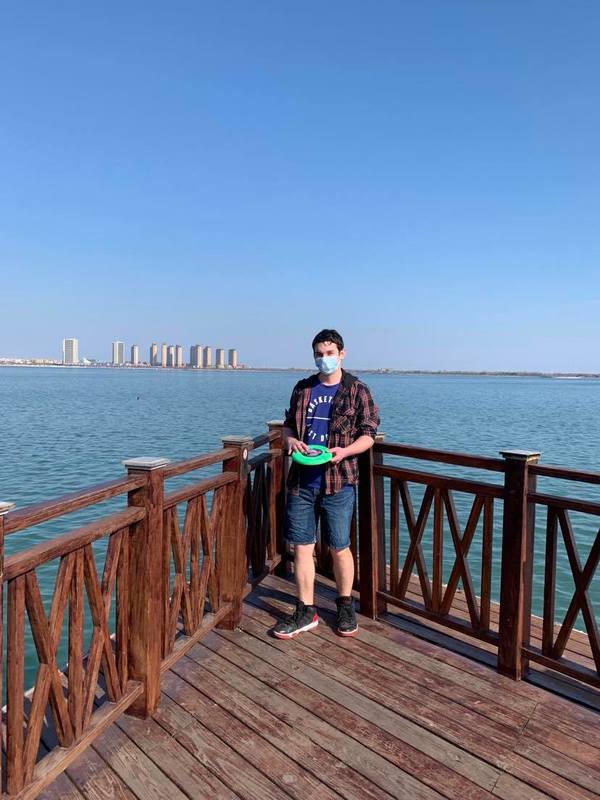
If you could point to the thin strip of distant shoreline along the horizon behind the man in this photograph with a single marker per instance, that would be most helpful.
(382, 371)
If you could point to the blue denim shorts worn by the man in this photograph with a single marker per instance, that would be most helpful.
(303, 510)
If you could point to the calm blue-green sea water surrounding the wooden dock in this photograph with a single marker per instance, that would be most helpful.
(64, 429)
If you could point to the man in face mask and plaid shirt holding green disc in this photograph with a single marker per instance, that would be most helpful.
(334, 409)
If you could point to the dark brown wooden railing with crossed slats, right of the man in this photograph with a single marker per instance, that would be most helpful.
(428, 586)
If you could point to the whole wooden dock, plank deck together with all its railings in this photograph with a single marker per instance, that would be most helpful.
(173, 686)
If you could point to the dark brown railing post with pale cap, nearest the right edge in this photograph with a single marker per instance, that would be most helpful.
(517, 562)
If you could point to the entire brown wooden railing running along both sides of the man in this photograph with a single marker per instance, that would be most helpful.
(139, 586)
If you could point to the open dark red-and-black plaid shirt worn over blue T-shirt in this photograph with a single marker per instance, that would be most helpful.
(353, 414)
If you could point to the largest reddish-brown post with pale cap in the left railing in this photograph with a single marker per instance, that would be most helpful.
(146, 584)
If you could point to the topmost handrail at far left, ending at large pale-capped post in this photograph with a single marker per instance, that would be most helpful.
(49, 509)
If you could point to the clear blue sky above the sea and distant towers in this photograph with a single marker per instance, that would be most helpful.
(422, 176)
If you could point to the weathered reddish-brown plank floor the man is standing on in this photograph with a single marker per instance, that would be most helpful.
(386, 715)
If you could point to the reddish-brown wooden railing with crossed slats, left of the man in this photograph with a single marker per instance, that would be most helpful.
(139, 587)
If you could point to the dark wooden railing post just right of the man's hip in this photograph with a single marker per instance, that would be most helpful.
(371, 561)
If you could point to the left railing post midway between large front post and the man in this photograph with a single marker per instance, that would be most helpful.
(231, 558)
